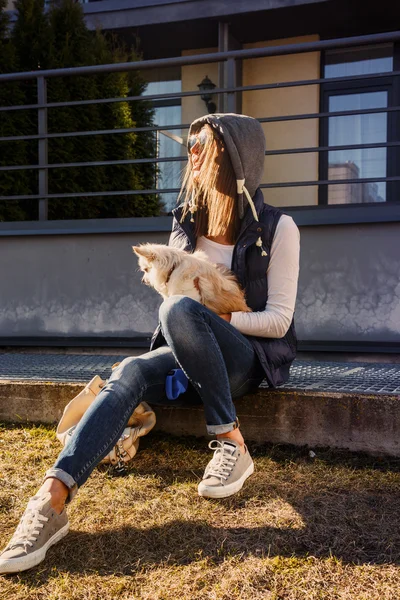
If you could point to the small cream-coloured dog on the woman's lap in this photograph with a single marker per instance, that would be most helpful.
(175, 272)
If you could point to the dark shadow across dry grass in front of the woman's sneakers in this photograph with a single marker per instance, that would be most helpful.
(356, 528)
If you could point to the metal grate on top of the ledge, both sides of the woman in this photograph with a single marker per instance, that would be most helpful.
(364, 378)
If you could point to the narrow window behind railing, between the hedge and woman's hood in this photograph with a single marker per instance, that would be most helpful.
(169, 141)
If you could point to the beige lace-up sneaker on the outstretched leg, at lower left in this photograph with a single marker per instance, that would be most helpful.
(39, 528)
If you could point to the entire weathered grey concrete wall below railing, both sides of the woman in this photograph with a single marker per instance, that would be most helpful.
(88, 285)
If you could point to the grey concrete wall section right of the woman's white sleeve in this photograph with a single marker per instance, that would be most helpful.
(349, 286)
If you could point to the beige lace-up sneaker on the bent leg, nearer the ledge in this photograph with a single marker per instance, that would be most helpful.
(226, 473)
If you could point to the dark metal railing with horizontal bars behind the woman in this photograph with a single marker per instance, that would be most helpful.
(230, 92)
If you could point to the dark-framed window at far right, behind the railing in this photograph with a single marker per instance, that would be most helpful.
(358, 129)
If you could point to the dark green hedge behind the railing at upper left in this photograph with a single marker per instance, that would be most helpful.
(57, 39)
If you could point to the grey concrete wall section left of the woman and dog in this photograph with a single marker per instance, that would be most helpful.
(77, 285)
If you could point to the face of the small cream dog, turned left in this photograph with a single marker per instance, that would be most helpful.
(156, 262)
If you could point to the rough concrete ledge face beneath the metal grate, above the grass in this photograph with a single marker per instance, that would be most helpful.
(356, 422)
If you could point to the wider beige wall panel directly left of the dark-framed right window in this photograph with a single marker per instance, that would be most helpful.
(290, 134)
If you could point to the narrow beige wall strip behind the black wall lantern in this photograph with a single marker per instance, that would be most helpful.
(193, 106)
